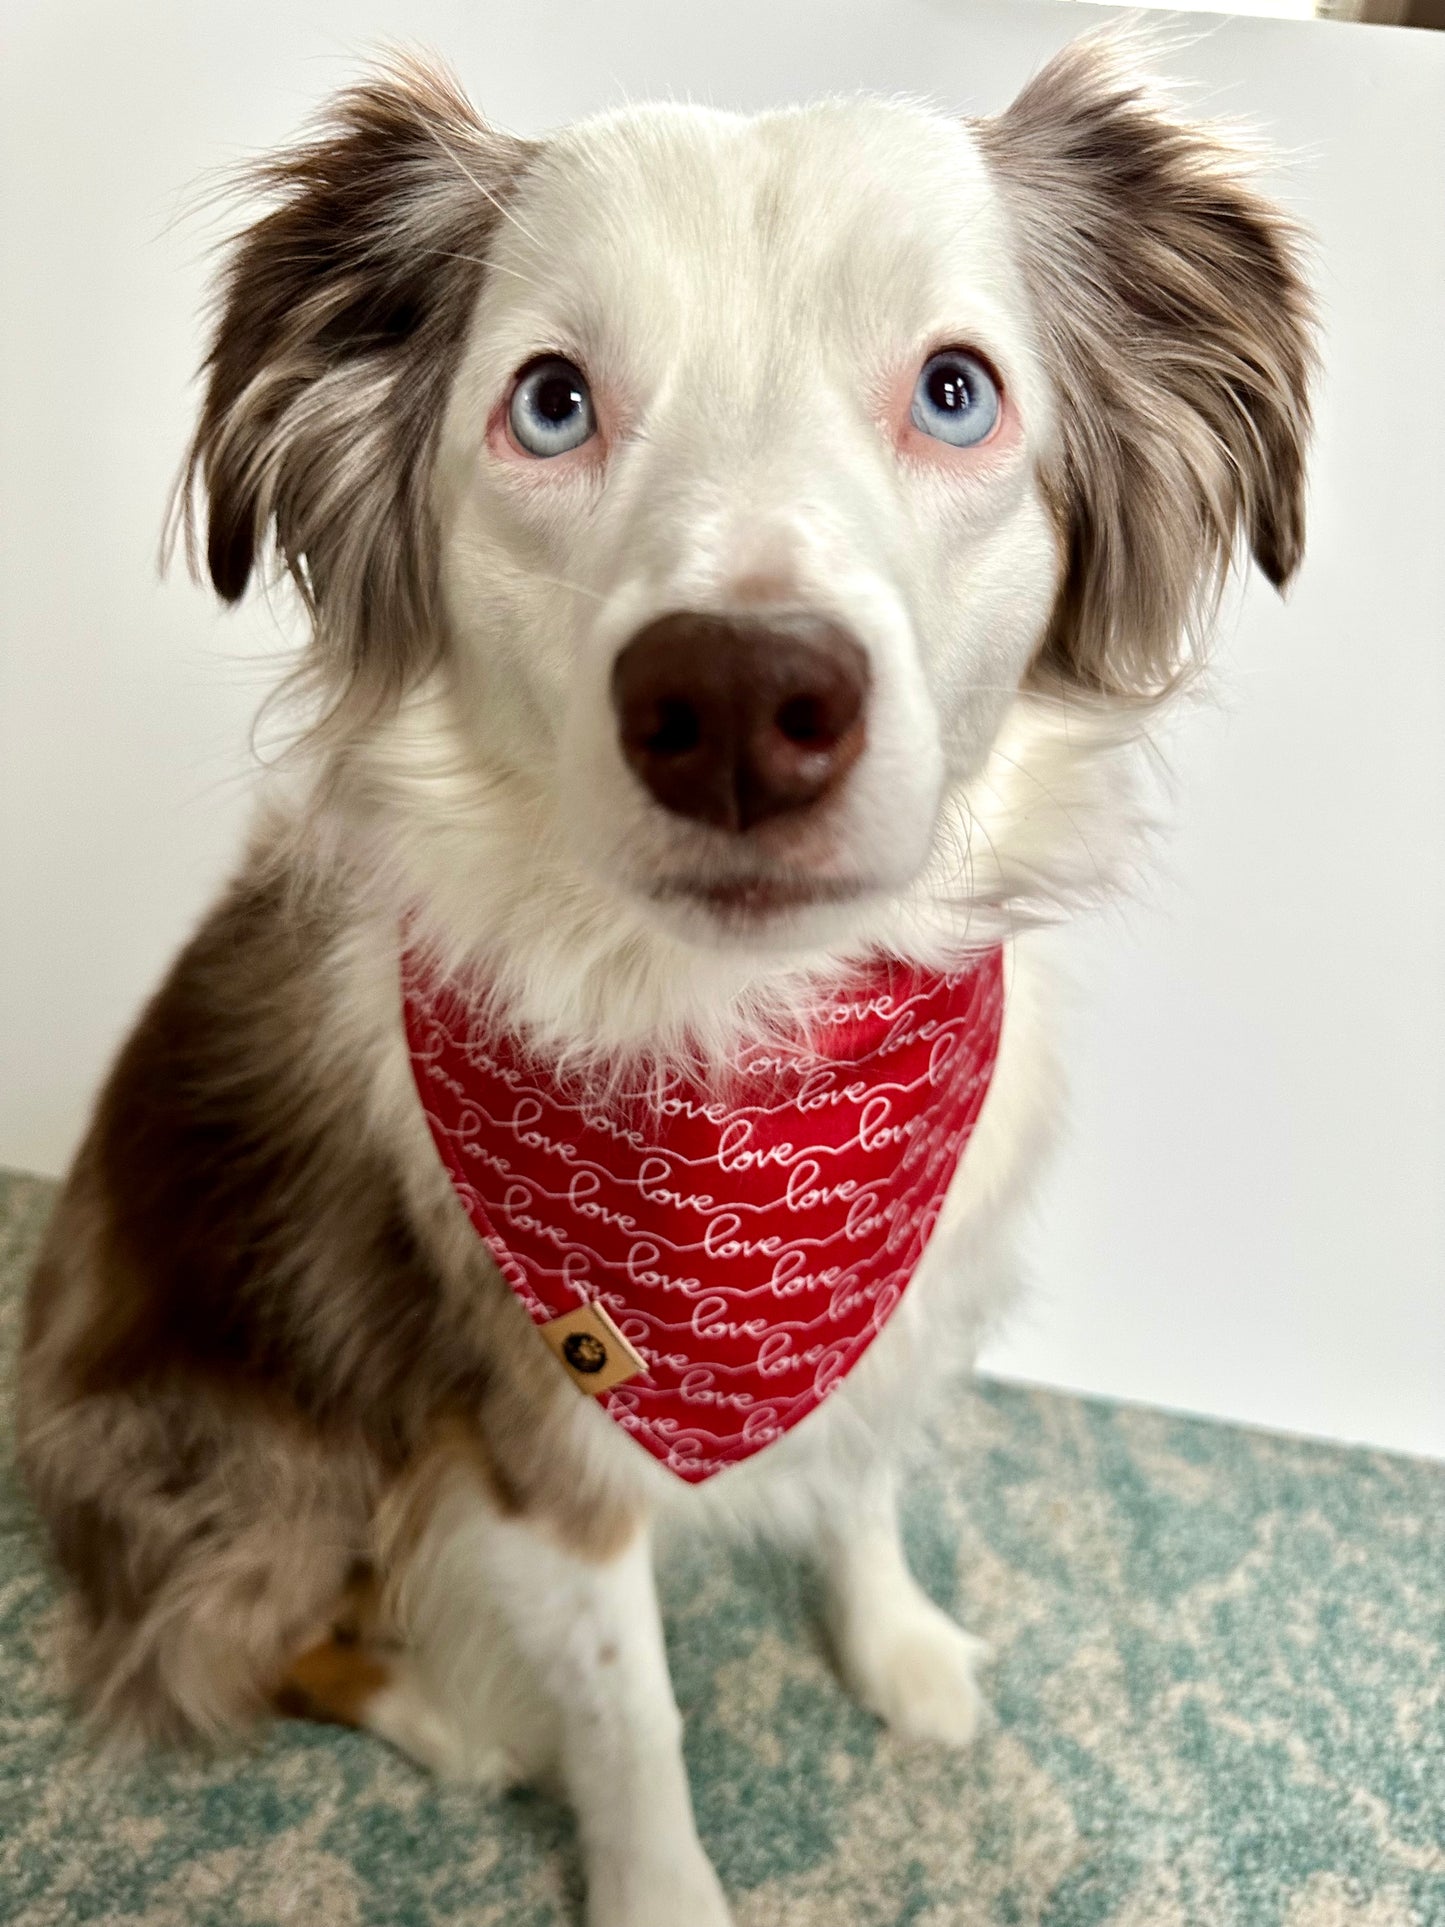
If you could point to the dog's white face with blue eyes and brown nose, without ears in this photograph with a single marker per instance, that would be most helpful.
(743, 535)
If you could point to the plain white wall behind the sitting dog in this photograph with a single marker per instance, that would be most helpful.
(1249, 1213)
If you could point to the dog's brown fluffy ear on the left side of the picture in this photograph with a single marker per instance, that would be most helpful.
(342, 315)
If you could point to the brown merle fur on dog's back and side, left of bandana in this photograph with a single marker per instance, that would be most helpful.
(251, 1361)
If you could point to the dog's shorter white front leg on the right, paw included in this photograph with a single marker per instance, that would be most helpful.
(899, 1652)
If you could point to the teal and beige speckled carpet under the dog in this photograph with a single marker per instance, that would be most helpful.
(1219, 1685)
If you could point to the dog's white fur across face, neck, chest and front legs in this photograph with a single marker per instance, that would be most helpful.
(496, 810)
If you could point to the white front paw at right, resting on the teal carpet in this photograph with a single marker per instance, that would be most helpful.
(918, 1674)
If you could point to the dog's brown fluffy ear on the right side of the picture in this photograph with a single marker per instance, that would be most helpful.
(1178, 327)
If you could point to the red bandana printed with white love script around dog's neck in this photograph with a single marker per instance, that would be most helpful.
(747, 1242)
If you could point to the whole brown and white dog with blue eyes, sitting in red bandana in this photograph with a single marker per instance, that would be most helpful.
(741, 556)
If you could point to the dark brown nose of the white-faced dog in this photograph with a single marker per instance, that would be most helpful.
(737, 720)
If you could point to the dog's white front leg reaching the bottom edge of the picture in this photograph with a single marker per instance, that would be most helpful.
(594, 1635)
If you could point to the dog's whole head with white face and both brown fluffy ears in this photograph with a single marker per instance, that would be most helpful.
(735, 479)
